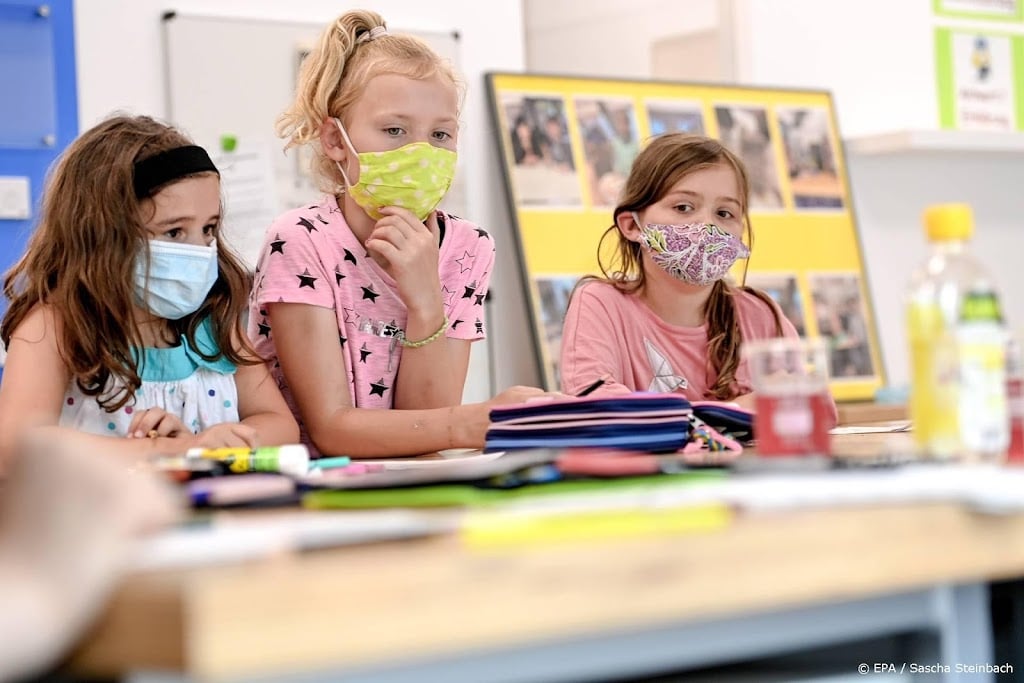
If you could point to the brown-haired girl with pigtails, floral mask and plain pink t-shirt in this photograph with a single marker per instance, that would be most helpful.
(664, 318)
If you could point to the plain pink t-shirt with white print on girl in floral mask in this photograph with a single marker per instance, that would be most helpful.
(614, 334)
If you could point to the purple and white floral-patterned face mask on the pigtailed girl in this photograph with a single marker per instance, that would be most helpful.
(696, 253)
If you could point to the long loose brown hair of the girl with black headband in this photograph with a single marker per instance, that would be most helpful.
(81, 260)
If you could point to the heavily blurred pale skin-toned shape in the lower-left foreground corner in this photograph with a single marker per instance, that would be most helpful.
(68, 519)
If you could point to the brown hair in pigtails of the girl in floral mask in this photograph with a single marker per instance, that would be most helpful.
(657, 169)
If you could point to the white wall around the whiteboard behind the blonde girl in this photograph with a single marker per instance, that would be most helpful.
(120, 66)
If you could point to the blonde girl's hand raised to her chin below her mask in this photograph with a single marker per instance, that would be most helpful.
(407, 250)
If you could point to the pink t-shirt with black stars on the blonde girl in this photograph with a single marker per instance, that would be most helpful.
(312, 257)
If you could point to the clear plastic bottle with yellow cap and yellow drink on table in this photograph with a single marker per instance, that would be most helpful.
(958, 341)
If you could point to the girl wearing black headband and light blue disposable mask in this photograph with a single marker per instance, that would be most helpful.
(126, 311)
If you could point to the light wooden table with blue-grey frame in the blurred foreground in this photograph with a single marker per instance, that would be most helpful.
(433, 610)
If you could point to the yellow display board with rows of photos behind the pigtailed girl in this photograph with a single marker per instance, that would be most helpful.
(567, 144)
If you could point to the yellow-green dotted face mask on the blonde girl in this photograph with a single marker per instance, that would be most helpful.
(416, 177)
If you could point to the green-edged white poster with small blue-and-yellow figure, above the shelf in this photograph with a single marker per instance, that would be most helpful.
(978, 78)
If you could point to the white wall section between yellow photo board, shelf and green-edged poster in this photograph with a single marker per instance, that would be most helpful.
(875, 56)
